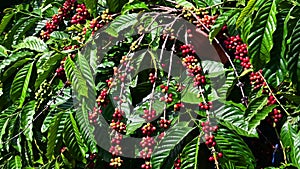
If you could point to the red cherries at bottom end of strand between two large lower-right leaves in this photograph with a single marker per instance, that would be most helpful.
(208, 129)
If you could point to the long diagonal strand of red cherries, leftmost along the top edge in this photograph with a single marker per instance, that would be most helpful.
(53, 24)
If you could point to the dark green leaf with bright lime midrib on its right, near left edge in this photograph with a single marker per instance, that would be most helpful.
(20, 84)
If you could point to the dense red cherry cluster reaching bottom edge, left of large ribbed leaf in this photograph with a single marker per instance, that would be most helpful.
(147, 144)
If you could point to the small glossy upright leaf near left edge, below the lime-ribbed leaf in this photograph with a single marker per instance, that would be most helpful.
(27, 114)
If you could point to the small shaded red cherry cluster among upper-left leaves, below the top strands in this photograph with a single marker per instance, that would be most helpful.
(60, 72)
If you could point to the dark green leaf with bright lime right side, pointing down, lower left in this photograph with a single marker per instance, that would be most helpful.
(72, 139)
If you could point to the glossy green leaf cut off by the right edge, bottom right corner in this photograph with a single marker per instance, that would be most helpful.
(290, 139)
